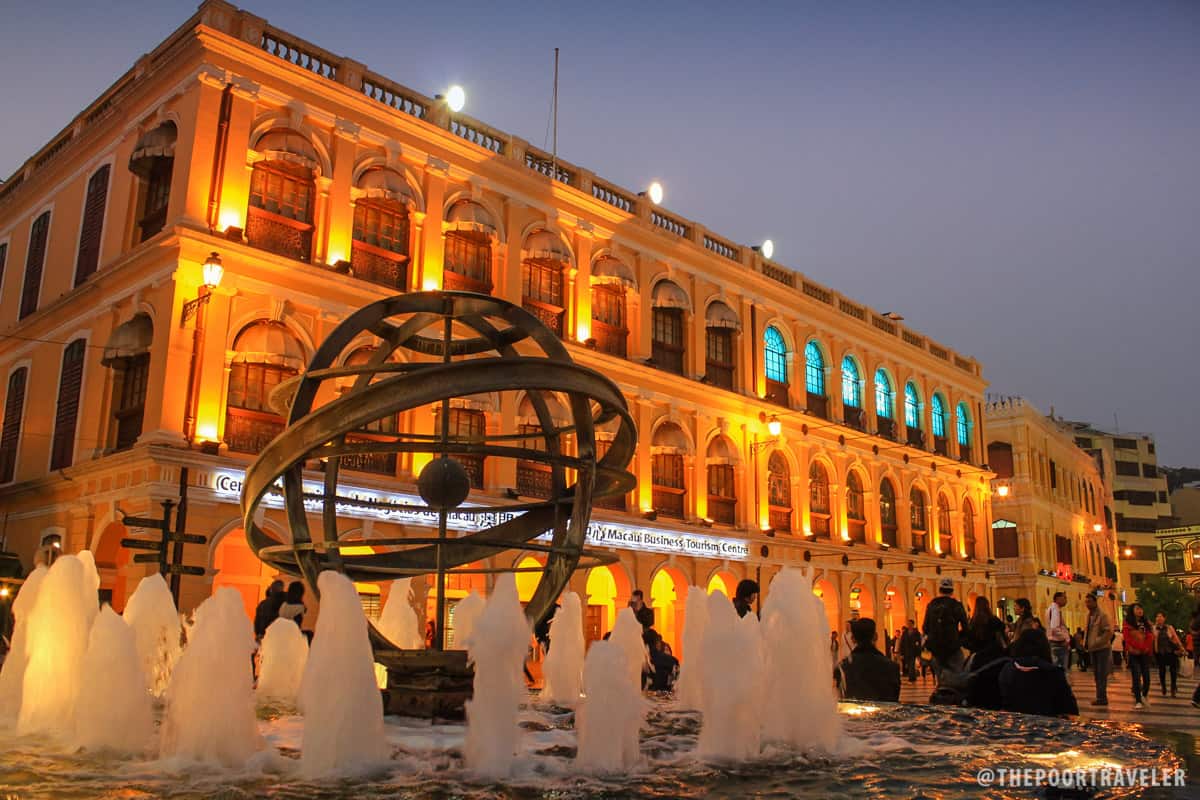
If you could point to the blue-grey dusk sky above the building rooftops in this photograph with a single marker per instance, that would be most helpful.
(1022, 183)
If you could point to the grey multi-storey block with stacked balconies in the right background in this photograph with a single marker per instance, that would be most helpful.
(1141, 503)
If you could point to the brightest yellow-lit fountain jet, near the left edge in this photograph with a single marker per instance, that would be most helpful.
(57, 640)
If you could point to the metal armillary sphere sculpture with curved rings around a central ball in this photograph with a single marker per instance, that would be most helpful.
(435, 347)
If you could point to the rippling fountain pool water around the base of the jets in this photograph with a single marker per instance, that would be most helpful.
(889, 751)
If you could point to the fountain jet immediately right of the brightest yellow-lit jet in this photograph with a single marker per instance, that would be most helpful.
(115, 712)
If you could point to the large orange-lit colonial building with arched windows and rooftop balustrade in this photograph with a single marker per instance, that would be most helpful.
(184, 245)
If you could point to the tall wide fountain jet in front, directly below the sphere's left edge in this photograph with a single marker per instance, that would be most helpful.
(341, 703)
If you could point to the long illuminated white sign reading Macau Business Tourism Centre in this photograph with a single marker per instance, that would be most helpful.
(392, 507)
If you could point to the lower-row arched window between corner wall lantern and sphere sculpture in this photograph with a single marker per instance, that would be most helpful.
(267, 354)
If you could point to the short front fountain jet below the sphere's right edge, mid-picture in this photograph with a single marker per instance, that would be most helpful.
(610, 719)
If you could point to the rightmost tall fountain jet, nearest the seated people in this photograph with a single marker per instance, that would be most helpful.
(802, 714)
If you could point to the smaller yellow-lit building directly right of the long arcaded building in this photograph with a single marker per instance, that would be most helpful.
(1053, 514)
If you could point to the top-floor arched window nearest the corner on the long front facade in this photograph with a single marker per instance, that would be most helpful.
(283, 187)
